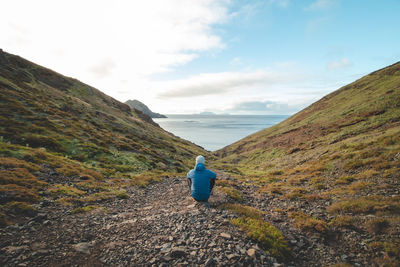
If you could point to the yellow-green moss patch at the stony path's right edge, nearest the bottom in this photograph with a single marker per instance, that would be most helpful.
(269, 237)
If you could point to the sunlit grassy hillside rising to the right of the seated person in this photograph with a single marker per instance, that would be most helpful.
(332, 170)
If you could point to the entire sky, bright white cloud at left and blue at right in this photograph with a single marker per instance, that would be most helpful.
(221, 56)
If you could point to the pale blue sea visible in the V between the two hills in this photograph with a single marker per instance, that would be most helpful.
(213, 132)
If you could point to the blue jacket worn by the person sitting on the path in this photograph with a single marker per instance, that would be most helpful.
(201, 181)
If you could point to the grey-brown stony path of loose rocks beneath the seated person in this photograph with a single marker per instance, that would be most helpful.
(159, 225)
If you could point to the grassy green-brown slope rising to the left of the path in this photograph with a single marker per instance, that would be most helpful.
(60, 138)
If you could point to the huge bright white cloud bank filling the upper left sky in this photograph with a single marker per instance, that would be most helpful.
(105, 42)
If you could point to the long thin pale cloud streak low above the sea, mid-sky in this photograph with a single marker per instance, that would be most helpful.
(220, 83)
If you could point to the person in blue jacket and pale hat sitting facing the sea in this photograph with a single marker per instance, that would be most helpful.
(201, 181)
